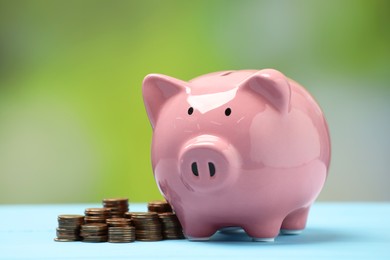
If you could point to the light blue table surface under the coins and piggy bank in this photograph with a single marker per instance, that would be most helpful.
(334, 230)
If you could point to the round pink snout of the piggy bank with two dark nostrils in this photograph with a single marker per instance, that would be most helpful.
(207, 162)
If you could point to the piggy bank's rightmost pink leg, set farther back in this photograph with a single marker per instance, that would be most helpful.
(295, 222)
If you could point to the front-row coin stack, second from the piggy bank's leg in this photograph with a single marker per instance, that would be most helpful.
(147, 226)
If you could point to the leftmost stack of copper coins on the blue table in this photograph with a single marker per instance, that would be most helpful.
(69, 227)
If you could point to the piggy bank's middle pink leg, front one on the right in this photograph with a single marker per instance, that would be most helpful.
(264, 231)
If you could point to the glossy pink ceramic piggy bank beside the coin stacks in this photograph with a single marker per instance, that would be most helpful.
(247, 148)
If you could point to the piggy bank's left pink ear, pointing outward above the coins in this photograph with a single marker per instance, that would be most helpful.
(156, 90)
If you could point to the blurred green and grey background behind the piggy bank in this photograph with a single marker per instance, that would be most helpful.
(72, 122)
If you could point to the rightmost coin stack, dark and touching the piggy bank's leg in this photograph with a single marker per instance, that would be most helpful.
(171, 228)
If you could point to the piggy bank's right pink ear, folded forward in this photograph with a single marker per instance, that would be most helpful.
(273, 86)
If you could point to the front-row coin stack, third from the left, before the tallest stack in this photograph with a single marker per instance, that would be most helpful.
(120, 231)
